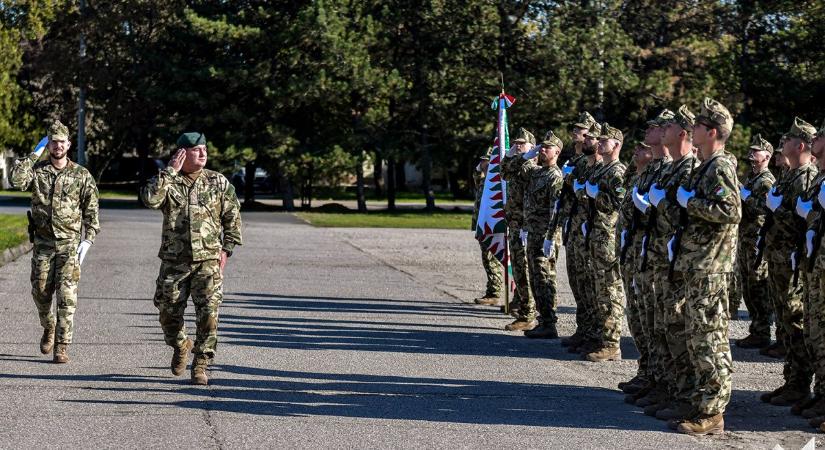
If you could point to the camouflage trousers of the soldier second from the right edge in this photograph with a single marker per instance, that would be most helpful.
(788, 307)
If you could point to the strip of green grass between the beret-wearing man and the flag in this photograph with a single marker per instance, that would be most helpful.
(454, 221)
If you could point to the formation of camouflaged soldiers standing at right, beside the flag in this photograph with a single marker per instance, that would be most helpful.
(674, 245)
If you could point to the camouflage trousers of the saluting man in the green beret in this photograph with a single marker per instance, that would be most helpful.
(178, 280)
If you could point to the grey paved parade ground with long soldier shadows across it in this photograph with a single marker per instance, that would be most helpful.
(341, 338)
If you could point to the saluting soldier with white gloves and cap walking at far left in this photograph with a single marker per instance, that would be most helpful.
(64, 205)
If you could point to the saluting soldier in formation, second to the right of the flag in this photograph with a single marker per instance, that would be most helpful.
(542, 187)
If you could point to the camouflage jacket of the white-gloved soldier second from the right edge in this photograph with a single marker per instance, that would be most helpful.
(788, 230)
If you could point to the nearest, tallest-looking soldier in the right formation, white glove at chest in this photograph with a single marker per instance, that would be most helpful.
(703, 249)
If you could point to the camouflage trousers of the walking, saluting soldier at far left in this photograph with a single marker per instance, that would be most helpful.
(55, 269)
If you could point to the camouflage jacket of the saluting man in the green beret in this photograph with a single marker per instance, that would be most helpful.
(200, 218)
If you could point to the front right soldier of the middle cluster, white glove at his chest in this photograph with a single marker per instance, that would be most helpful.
(605, 191)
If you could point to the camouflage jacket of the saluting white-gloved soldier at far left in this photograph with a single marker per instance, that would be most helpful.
(62, 200)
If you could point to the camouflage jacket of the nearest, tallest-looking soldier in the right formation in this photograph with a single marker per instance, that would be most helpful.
(709, 241)
